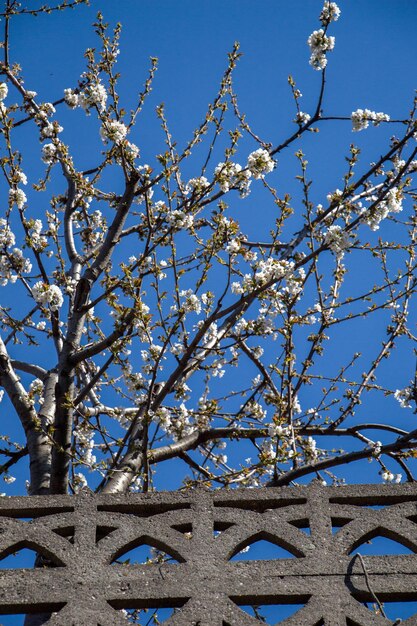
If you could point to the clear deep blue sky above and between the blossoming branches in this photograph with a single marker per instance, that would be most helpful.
(372, 65)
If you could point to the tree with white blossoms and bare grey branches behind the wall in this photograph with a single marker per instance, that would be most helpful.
(155, 329)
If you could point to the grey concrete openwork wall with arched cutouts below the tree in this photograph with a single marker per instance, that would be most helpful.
(80, 538)
